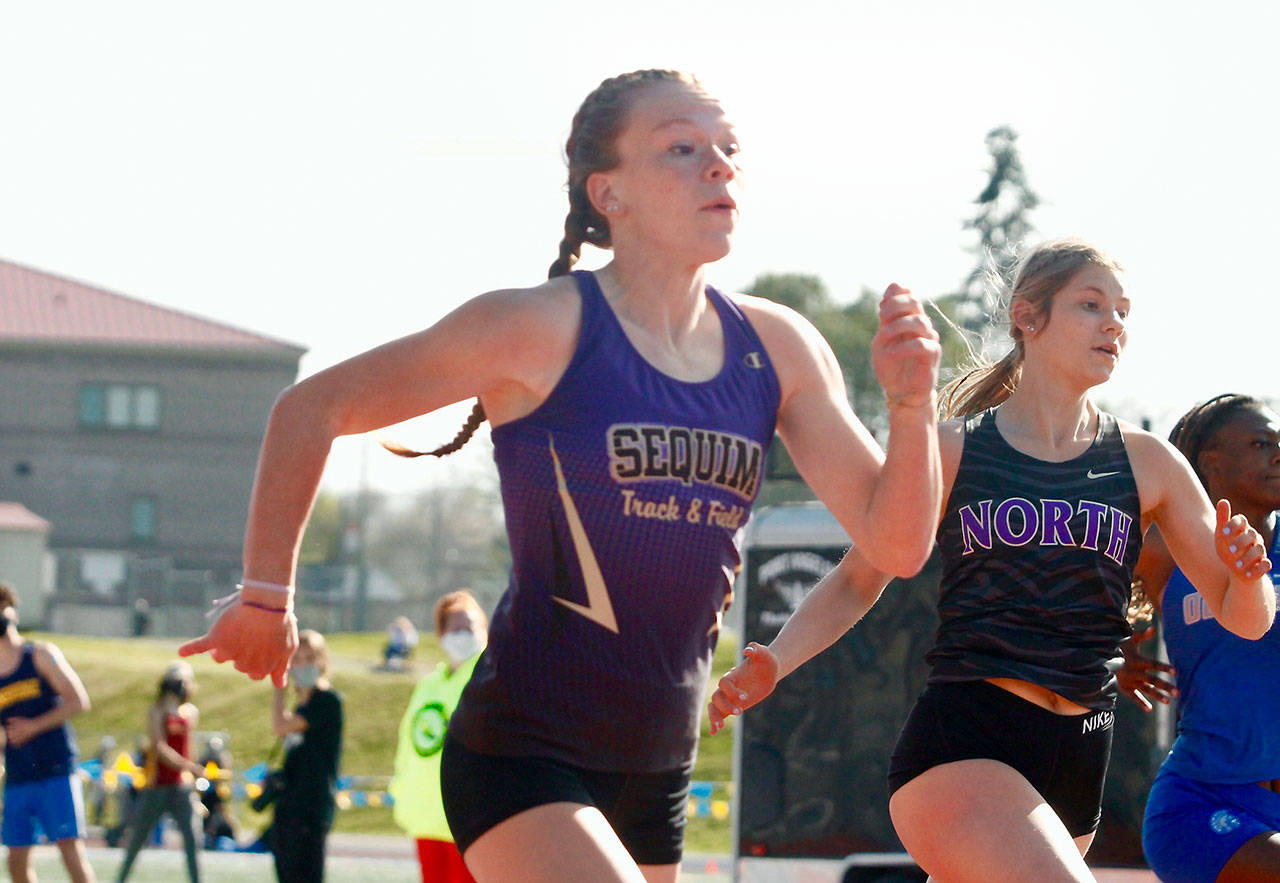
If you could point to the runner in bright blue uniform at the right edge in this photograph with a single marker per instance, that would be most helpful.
(1214, 812)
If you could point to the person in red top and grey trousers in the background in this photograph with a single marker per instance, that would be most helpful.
(170, 770)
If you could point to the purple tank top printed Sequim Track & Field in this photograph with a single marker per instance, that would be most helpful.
(625, 493)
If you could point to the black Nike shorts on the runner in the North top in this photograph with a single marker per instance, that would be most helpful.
(1064, 757)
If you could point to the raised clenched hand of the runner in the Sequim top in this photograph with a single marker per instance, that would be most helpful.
(906, 351)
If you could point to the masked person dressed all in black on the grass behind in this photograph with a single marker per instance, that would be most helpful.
(313, 747)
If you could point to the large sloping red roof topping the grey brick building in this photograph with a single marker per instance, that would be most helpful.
(40, 308)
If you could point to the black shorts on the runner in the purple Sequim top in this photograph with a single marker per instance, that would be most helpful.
(647, 811)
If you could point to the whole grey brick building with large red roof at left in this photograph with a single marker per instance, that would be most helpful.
(134, 431)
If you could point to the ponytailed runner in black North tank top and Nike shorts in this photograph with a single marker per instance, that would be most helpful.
(964, 804)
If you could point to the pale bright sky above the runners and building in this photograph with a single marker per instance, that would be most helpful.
(339, 175)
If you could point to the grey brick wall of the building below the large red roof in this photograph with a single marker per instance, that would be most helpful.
(198, 465)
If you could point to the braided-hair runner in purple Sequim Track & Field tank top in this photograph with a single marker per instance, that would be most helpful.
(653, 175)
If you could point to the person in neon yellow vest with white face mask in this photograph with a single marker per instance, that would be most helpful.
(463, 629)
